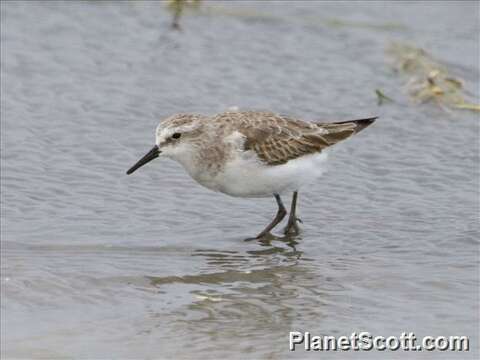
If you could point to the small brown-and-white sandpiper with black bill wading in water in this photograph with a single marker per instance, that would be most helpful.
(250, 153)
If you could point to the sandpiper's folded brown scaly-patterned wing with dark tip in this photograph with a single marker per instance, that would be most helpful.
(277, 139)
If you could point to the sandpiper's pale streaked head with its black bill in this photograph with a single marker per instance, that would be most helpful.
(176, 138)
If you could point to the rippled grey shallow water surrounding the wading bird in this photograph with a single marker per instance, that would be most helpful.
(96, 264)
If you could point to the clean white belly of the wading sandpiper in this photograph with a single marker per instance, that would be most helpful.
(247, 177)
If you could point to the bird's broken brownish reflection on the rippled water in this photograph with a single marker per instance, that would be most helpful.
(237, 293)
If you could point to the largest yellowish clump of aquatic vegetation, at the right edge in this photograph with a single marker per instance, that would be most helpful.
(429, 80)
